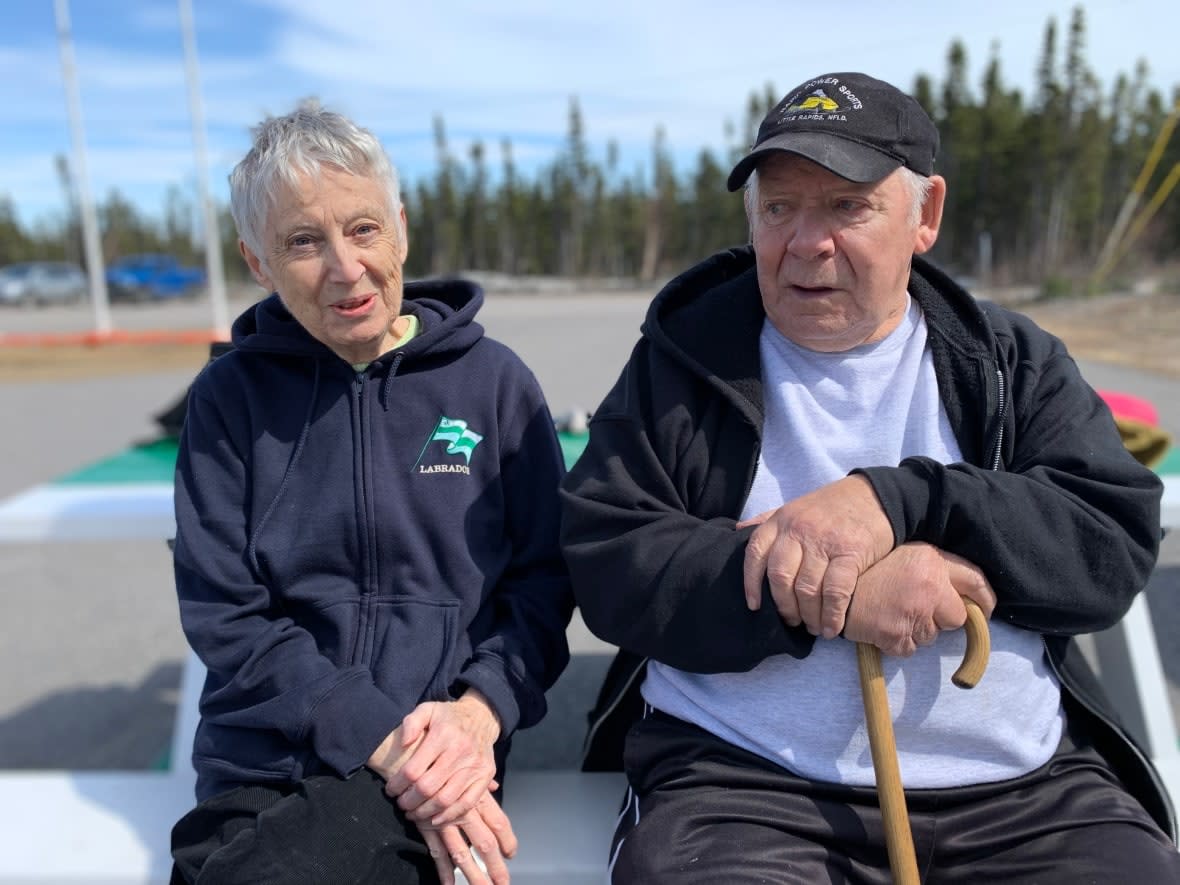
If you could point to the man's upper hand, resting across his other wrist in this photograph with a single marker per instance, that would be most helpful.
(814, 549)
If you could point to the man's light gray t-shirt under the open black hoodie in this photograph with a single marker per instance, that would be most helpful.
(827, 415)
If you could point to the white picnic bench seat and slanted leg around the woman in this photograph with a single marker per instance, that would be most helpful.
(113, 828)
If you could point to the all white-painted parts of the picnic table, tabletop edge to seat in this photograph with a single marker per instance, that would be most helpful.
(113, 828)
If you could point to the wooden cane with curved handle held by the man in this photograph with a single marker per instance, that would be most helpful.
(899, 838)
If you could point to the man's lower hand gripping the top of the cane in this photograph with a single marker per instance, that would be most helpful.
(909, 598)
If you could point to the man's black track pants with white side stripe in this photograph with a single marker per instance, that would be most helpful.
(700, 811)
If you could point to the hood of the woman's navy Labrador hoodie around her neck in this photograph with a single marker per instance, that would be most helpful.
(445, 312)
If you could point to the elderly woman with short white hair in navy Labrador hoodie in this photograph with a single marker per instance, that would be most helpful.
(366, 554)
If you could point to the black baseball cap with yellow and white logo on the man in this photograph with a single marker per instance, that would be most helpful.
(851, 124)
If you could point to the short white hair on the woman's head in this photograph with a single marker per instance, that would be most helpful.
(303, 143)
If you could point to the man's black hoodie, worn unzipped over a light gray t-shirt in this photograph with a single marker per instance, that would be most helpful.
(1047, 501)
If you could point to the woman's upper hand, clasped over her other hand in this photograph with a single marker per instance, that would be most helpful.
(450, 765)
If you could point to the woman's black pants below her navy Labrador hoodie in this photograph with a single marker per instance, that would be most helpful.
(325, 831)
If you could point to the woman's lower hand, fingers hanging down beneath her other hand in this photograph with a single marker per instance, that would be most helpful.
(487, 830)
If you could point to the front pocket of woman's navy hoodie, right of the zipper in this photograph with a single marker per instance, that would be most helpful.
(411, 648)
